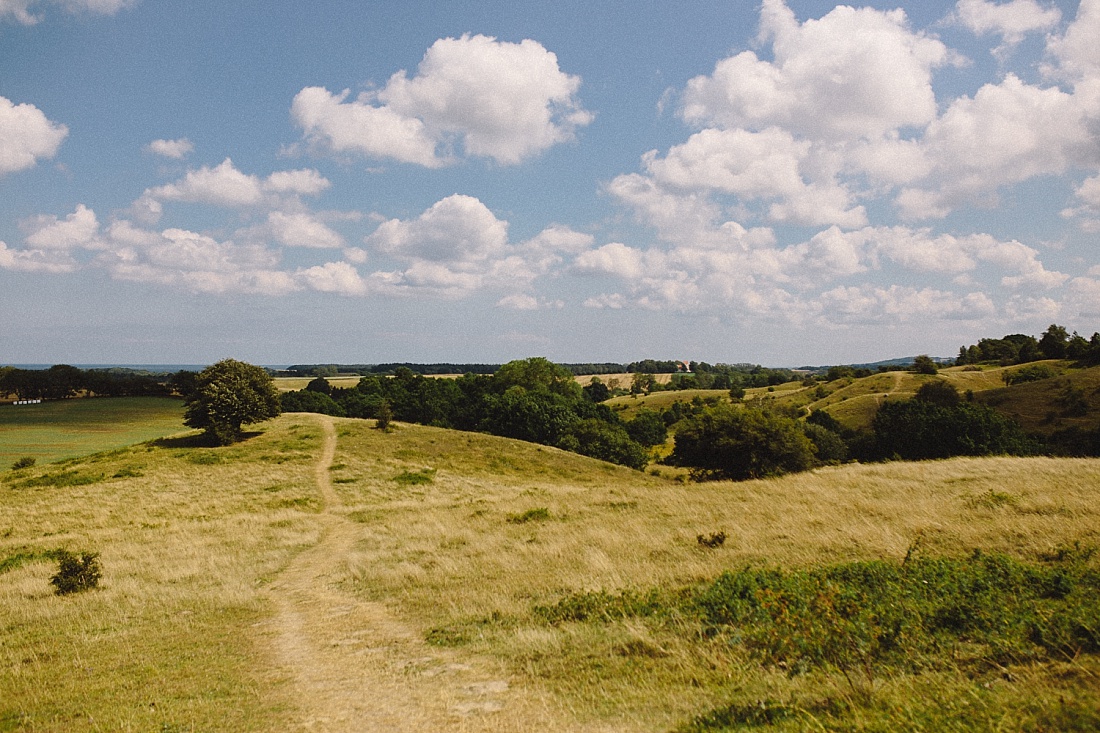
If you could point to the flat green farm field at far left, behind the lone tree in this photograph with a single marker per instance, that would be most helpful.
(56, 431)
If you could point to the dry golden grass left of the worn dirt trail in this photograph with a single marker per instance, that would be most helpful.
(188, 539)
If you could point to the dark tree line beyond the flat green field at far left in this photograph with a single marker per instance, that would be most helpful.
(62, 382)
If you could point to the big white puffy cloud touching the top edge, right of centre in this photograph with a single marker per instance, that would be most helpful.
(854, 73)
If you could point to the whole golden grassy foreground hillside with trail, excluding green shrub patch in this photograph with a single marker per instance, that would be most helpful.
(313, 578)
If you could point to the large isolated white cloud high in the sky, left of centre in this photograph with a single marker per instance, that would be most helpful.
(507, 102)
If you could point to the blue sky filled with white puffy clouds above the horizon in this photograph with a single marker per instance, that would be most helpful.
(783, 183)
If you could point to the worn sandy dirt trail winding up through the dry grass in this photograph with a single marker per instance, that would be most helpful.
(353, 664)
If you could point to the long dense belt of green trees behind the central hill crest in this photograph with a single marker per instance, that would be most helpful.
(531, 400)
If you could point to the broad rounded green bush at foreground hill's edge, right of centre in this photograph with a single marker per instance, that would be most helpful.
(733, 443)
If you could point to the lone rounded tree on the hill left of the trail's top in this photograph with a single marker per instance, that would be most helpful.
(229, 396)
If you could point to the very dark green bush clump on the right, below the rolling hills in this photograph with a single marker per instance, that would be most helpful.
(919, 431)
